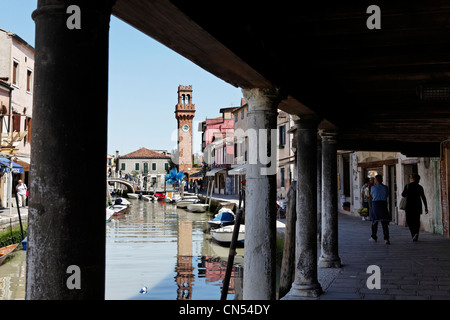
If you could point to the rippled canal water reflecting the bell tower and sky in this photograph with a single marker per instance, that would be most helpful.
(154, 252)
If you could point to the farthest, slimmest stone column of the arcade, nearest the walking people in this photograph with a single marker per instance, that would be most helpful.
(329, 256)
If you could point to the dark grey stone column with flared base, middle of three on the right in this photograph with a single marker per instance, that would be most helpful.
(306, 283)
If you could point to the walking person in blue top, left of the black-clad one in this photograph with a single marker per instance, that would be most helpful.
(379, 212)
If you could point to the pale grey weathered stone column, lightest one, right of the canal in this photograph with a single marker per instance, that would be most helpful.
(260, 195)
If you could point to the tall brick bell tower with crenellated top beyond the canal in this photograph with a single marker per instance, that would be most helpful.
(184, 113)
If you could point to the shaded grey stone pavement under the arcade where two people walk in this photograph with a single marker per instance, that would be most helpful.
(409, 270)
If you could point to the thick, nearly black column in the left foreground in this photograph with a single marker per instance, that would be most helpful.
(66, 239)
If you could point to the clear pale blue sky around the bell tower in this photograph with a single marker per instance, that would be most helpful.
(143, 80)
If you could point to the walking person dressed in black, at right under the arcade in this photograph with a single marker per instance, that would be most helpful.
(414, 194)
